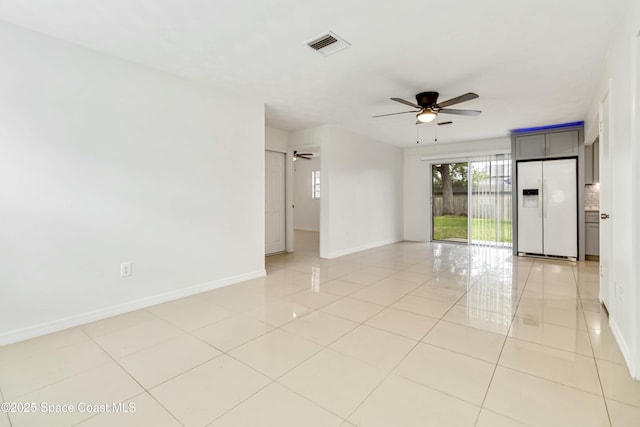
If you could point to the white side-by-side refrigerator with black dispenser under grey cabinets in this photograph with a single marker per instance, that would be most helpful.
(548, 207)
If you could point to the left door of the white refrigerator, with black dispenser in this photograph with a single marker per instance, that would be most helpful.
(530, 194)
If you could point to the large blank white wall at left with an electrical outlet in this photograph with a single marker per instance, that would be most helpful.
(104, 161)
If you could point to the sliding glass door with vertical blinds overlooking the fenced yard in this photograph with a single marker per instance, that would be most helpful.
(471, 201)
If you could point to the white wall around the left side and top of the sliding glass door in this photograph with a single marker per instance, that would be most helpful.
(417, 178)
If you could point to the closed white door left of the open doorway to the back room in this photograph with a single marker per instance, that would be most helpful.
(274, 202)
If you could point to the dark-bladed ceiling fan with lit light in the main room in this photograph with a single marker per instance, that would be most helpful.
(428, 107)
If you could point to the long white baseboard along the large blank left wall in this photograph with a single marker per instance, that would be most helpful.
(49, 327)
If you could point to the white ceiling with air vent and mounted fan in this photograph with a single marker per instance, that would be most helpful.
(532, 63)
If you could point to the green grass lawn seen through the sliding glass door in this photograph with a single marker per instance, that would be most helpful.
(455, 227)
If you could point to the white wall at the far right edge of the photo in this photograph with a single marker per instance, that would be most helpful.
(622, 73)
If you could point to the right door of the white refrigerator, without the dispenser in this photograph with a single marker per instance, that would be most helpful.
(560, 207)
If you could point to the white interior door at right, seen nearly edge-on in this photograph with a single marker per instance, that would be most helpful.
(605, 204)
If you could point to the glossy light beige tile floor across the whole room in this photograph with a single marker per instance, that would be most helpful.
(410, 334)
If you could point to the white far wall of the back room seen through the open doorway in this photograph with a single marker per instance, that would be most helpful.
(307, 210)
